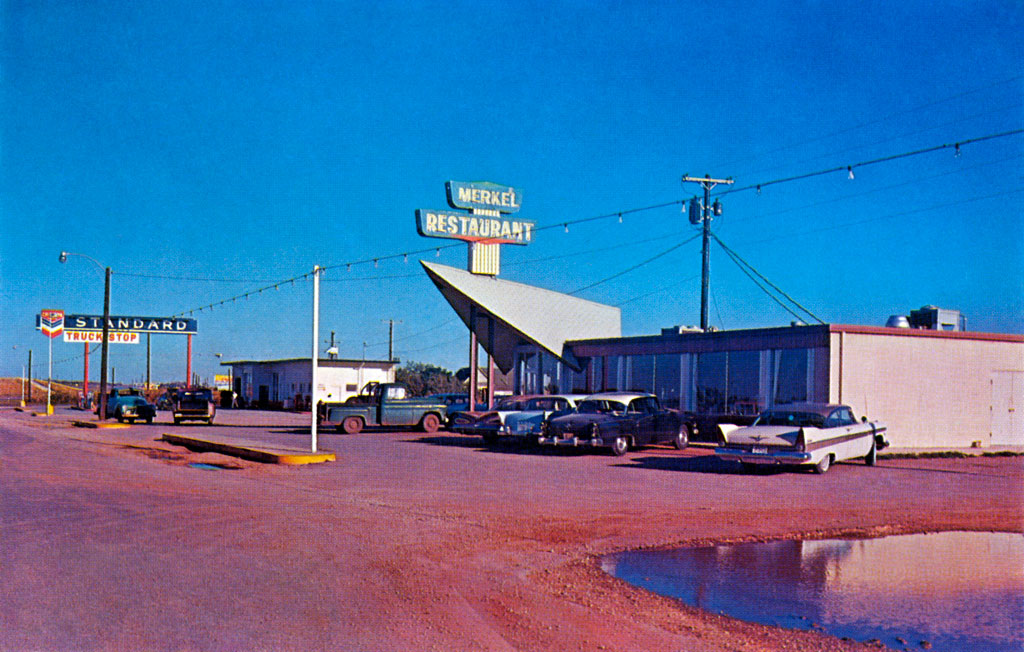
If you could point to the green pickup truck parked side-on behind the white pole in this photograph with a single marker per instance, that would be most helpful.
(383, 405)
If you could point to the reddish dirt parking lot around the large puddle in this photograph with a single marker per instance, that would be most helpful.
(111, 541)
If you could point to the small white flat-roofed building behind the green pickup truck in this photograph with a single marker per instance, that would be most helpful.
(286, 384)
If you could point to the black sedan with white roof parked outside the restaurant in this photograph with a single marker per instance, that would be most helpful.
(618, 421)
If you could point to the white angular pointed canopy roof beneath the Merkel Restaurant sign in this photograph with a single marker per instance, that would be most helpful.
(524, 315)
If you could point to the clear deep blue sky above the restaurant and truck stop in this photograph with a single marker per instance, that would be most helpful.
(232, 145)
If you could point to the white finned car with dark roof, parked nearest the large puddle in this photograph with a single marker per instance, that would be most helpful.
(816, 436)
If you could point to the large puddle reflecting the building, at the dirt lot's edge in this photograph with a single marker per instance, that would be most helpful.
(956, 591)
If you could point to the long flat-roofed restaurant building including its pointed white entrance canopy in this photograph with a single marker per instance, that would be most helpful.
(935, 385)
